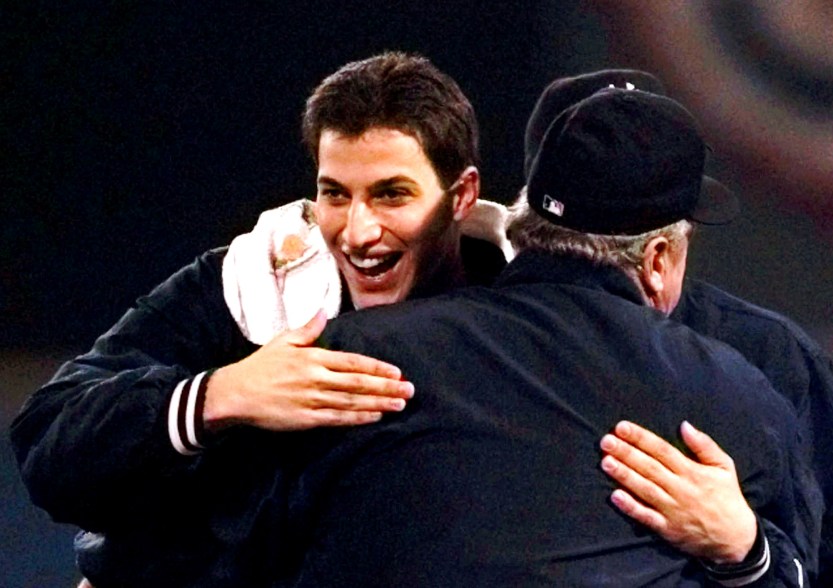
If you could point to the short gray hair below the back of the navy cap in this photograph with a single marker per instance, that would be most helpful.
(527, 230)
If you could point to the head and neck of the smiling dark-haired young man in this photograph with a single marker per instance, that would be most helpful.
(397, 176)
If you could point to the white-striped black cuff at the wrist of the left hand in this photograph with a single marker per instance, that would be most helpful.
(185, 424)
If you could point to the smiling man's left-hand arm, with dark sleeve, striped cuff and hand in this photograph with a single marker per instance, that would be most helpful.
(119, 430)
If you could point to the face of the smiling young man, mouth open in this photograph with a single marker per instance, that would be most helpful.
(384, 214)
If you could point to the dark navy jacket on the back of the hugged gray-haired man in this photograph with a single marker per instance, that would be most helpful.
(491, 478)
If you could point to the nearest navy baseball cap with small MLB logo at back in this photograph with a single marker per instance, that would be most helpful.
(625, 161)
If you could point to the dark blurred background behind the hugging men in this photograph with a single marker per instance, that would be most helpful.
(135, 135)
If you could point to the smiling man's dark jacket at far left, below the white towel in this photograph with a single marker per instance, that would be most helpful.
(94, 451)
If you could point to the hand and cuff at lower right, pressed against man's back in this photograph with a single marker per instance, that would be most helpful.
(699, 507)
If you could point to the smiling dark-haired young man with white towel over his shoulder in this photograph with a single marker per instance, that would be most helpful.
(124, 439)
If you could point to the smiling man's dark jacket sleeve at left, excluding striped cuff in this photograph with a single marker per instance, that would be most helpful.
(93, 444)
